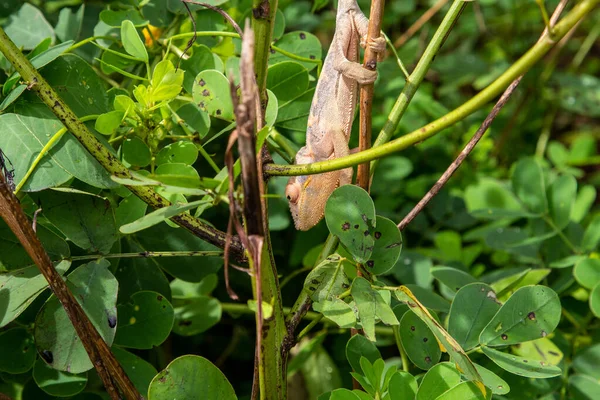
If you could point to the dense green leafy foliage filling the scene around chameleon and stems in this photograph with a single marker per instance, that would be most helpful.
(495, 283)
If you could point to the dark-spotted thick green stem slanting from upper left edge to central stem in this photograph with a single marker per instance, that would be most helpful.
(64, 113)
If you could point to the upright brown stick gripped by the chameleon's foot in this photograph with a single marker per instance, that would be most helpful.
(366, 93)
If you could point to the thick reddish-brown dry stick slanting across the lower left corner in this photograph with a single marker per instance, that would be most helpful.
(110, 371)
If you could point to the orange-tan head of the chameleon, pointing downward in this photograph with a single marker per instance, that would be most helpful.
(308, 195)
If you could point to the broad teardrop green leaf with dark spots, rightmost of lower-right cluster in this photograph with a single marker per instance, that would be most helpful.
(530, 313)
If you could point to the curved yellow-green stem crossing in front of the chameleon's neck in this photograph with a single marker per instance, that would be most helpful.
(520, 67)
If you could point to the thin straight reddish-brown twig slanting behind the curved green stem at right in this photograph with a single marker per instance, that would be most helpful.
(477, 136)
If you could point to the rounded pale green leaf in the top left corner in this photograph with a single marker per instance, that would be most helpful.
(28, 27)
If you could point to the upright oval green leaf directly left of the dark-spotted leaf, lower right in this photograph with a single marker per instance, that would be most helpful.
(472, 309)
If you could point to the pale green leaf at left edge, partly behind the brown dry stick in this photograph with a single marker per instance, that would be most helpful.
(18, 289)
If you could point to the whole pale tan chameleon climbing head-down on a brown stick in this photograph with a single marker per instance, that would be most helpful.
(331, 115)
